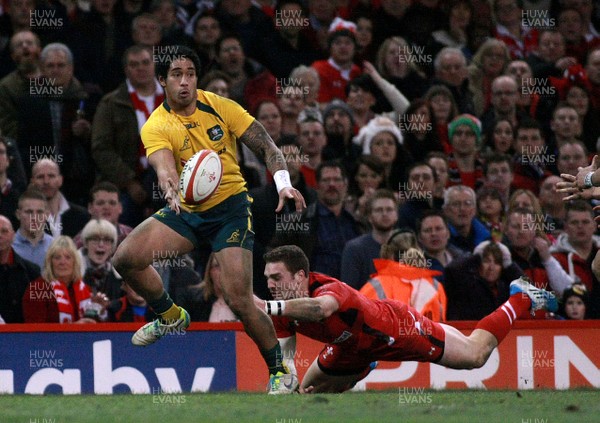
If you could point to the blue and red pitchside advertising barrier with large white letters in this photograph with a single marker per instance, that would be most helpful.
(87, 359)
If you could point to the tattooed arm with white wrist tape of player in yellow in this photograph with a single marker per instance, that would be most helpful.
(260, 142)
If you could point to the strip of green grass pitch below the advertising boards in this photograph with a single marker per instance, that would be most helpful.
(405, 405)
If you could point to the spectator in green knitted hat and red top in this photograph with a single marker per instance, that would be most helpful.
(464, 166)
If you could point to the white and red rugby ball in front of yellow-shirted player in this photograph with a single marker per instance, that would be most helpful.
(200, 177)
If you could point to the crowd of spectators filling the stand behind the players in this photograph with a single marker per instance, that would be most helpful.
(426, 136)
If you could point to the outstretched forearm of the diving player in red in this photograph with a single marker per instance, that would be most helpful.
(307, 309)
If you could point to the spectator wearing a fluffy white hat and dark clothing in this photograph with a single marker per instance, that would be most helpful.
(382, 139)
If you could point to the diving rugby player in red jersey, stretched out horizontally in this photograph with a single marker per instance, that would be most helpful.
(358, 331)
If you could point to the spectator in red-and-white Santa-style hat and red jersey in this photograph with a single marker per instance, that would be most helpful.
(339, 68)
